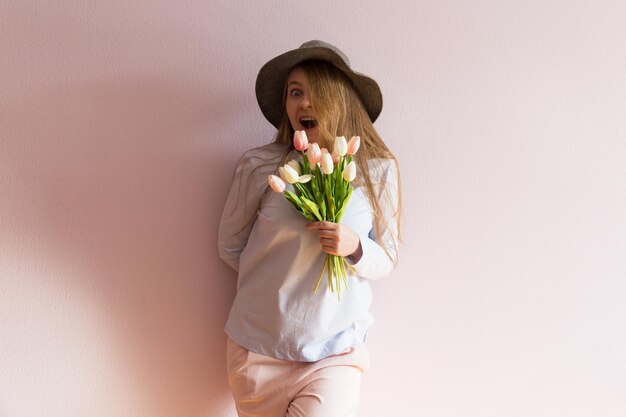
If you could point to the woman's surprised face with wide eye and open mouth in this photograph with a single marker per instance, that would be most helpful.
(298, 106)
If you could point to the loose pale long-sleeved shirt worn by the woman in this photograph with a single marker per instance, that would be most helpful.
(275, 312)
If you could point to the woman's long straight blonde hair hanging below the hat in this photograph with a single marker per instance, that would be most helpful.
(340, 112)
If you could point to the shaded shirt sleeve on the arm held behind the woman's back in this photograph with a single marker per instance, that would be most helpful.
(239, 213)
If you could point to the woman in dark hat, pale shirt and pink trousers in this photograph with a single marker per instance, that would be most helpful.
(291, 351)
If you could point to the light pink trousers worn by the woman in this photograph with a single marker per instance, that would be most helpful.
(268, 387)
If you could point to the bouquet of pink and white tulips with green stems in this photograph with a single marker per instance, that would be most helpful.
(322, 187)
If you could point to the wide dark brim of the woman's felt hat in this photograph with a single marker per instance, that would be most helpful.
(271, 81)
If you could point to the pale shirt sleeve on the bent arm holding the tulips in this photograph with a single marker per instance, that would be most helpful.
(380, 253)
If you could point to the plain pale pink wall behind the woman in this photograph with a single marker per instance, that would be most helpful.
(120, 123)
